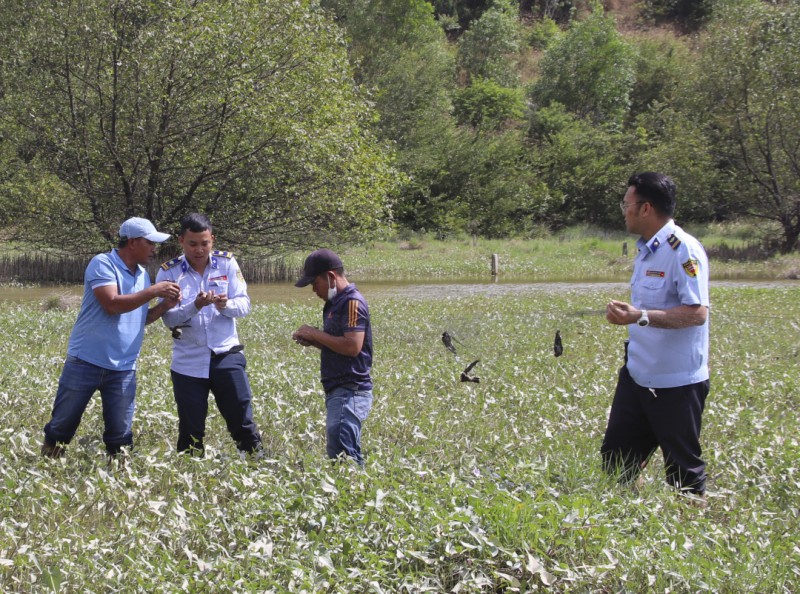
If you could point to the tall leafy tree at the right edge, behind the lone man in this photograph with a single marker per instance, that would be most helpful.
(747, 95)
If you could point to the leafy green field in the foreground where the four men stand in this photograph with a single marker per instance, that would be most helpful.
(490, 487)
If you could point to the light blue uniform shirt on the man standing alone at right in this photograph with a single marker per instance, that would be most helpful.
(670, 270)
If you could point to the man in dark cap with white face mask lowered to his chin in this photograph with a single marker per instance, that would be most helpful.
(345, 343)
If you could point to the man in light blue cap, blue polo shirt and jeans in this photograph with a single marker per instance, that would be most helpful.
(107, 337)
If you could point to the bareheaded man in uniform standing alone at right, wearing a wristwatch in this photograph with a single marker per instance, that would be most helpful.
(662, 387)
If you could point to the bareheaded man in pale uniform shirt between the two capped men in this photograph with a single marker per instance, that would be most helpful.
(206, 353)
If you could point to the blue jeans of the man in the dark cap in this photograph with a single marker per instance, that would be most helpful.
(346, 410)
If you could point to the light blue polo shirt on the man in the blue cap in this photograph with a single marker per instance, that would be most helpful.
(111, 341)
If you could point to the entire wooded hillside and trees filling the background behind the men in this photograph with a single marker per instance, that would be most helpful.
(334, 121)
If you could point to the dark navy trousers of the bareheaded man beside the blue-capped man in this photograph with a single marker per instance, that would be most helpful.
(228, 382)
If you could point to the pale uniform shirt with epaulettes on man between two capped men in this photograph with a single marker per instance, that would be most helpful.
(208, 329)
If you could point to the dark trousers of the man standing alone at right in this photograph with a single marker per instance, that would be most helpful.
(641, 421)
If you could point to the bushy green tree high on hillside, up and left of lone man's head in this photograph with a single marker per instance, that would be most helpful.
(589, 70)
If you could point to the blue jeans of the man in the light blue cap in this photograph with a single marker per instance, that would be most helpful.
(79, 381)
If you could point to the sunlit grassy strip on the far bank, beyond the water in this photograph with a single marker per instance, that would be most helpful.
(576, 254)
